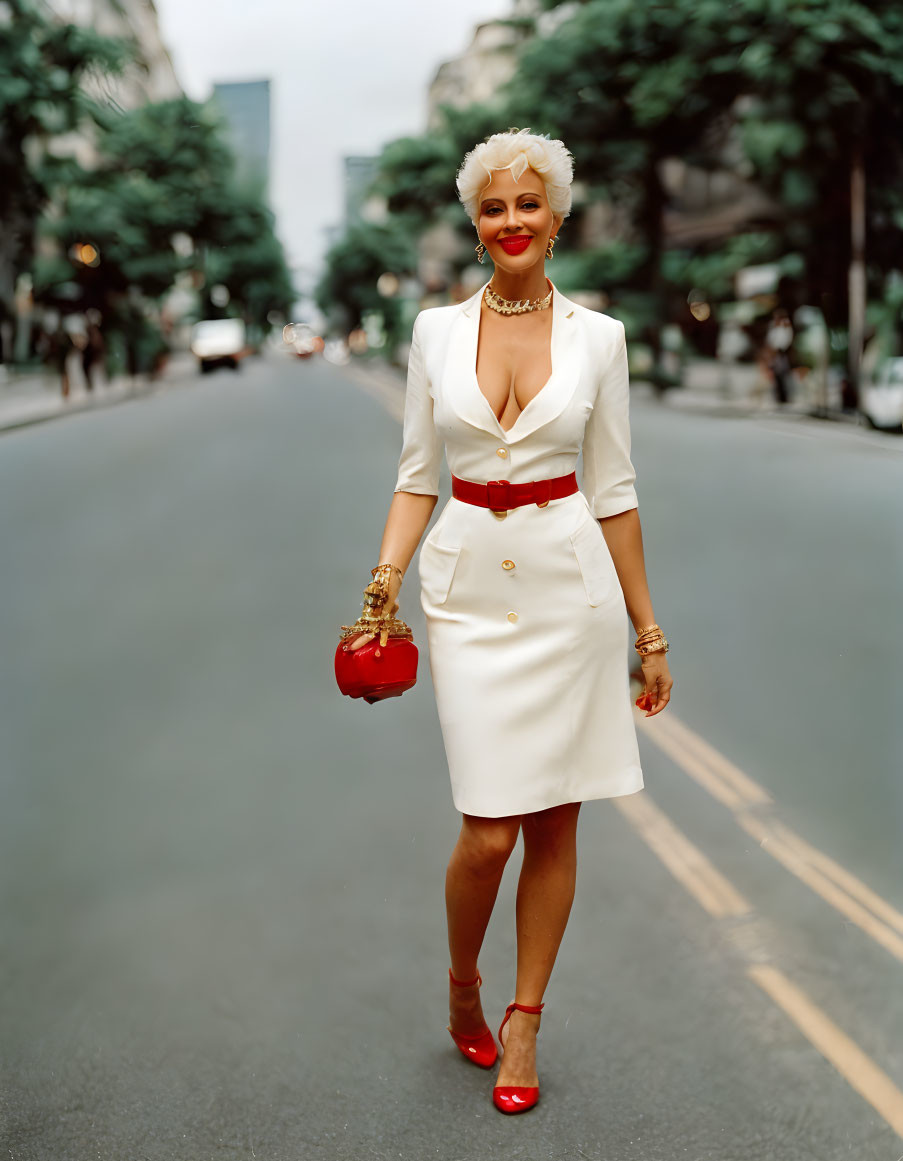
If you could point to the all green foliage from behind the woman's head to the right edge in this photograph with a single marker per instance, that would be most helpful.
(785, 92)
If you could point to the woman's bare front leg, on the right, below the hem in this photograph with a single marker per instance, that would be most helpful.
(545, 897)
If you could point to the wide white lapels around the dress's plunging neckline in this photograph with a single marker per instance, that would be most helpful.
(460, 379)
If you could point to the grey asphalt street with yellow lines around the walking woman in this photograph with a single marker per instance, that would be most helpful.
(223, 883)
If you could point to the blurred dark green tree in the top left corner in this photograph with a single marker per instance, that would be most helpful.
(44, 66)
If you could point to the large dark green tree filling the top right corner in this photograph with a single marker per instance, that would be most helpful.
(815, 88)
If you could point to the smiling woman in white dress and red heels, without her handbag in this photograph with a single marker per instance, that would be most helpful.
(525, 580)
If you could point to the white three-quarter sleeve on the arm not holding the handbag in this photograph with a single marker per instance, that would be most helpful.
(609, 474)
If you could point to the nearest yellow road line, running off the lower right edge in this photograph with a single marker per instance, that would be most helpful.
(858, 1070)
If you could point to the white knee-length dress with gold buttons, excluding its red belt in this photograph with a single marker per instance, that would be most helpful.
(526, 621)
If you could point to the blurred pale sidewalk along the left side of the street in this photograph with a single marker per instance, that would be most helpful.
(33, 398)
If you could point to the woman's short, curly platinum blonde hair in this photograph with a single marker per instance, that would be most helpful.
(517, 150)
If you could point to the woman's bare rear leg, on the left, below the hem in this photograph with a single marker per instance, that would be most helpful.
(473, 882)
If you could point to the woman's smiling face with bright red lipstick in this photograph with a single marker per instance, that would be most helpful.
(516, 222)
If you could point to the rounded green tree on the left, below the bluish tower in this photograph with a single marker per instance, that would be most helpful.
(165, 175)
